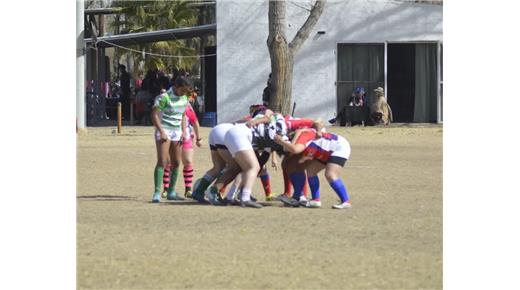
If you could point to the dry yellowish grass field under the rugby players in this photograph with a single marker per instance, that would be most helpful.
(390, 239)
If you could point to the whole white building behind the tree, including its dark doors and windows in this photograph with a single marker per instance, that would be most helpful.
(393, 44)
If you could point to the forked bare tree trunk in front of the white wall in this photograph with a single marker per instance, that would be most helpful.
(282, 53)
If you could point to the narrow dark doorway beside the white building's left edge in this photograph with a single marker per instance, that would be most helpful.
(210, 71)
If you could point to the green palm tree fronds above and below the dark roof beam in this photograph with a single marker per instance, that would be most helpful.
(144, 16)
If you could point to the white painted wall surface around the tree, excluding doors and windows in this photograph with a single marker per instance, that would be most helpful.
(243, 62)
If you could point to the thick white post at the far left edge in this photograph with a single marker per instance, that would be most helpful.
(80, 65)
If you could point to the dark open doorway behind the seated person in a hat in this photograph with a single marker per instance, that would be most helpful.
(401, 81)
